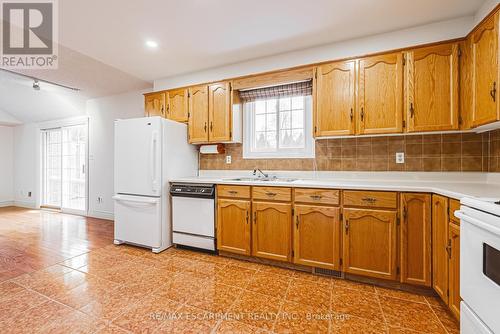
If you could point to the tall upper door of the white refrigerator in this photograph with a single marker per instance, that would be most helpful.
(138, 156)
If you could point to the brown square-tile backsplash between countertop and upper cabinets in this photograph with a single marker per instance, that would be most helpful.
(431, 152)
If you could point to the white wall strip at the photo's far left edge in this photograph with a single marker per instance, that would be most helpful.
(6, 166)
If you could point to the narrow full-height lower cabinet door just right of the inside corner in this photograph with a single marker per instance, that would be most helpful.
(439, 246)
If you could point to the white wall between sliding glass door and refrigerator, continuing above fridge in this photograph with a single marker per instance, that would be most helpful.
(102, 113)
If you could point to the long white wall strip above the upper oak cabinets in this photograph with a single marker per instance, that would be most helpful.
(357, 47)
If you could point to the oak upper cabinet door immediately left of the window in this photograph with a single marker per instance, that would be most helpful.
(219, 106)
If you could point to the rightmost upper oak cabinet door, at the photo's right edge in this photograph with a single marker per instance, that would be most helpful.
(485, 72)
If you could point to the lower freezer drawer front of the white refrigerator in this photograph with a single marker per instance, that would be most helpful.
(138, 220)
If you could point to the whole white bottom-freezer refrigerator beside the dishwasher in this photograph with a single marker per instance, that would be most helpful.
(149, 152)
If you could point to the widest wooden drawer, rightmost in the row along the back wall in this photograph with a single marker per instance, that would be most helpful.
(376, 199)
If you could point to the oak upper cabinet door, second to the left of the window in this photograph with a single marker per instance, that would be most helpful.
(198, 115)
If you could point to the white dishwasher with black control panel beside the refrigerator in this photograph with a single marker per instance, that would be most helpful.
(193, 215)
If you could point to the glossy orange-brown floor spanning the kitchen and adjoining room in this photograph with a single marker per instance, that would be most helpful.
(61, 274)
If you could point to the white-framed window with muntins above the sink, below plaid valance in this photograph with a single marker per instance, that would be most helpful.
(278, 127)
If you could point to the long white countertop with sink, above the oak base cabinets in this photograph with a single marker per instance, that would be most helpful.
(449, 188)
